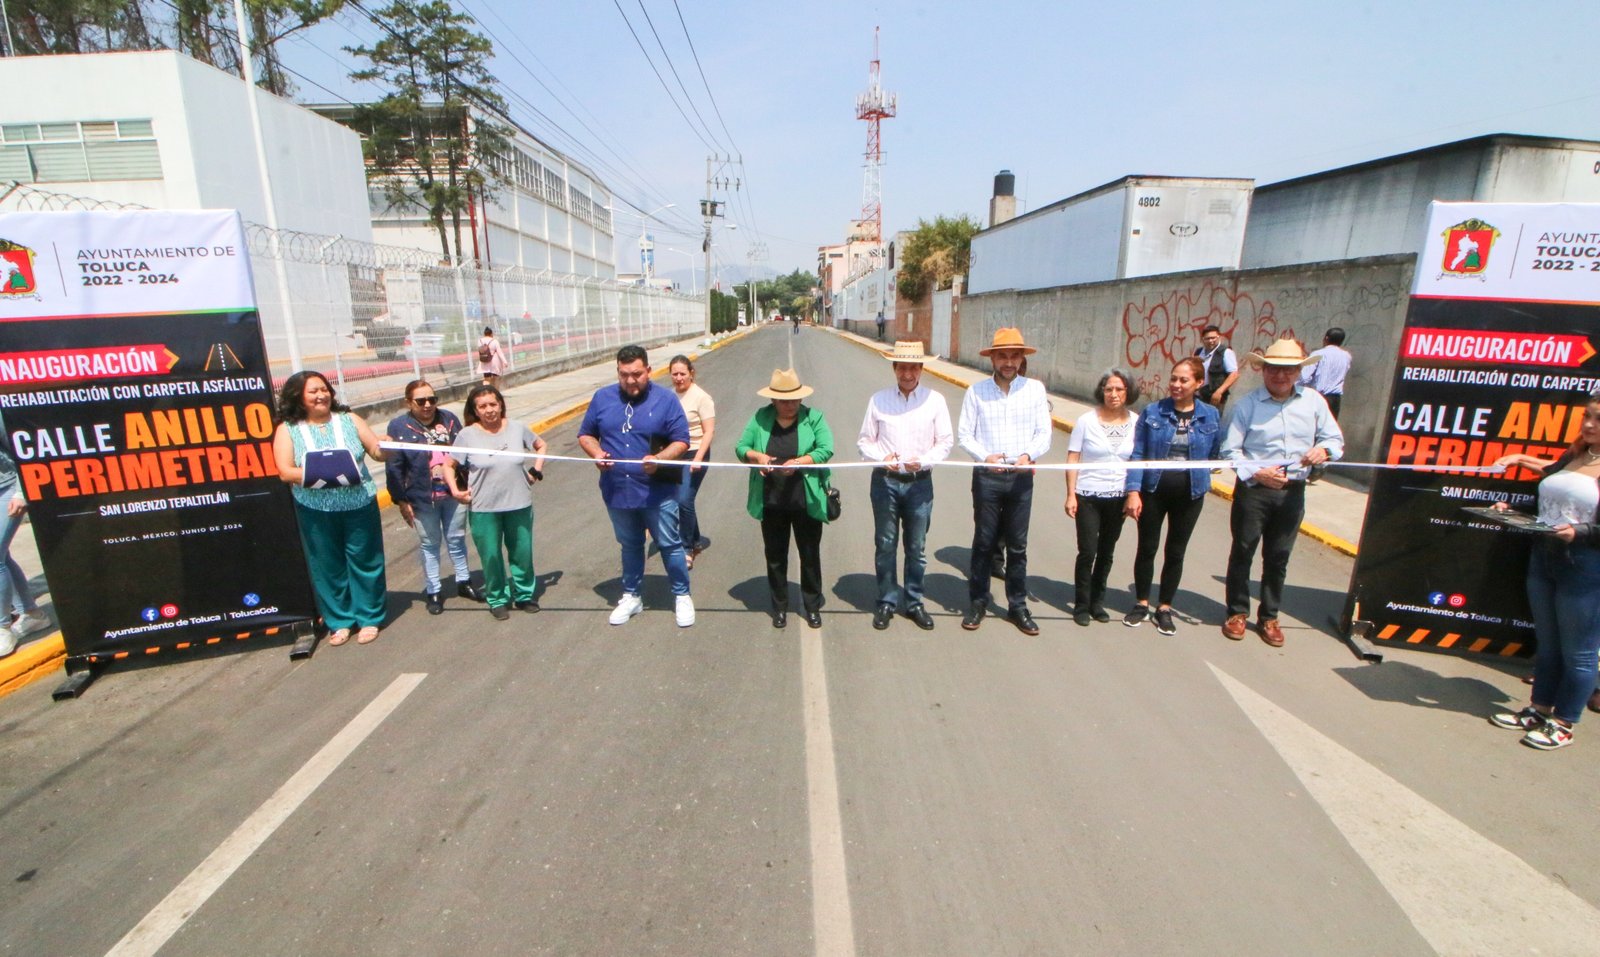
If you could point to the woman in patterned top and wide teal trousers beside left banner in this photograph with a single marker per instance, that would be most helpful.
(340, 527)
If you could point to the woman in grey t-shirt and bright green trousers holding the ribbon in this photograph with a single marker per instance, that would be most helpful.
(498, 495)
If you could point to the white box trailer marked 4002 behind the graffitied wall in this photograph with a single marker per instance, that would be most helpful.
(1124, 230)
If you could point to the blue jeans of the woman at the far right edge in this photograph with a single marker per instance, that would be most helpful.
(1564, 590)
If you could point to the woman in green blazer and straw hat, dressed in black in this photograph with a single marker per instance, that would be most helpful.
(783, 434)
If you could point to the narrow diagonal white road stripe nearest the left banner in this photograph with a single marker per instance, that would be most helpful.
(159, 926)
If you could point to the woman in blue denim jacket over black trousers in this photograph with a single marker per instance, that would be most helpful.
(1175, 428)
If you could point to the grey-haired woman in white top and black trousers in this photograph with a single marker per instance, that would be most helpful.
(1097, 497)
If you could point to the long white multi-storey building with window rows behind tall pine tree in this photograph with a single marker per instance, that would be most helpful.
(550, 214)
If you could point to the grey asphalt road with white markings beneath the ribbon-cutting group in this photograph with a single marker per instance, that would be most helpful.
(558, 787)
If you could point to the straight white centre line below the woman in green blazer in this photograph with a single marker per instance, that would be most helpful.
(831, 921)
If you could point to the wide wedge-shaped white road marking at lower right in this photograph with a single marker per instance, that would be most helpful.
(1465, 894)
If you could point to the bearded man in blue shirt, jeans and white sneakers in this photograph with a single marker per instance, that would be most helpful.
(636, 420)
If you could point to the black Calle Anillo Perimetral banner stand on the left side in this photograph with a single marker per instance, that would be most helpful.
(138, 404)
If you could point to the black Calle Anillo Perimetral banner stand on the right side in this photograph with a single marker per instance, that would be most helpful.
(1500, 356)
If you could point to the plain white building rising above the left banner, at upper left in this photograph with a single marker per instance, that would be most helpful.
(169, 132)
